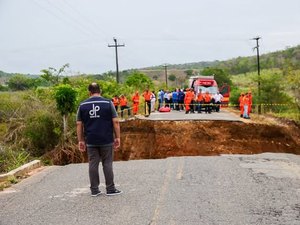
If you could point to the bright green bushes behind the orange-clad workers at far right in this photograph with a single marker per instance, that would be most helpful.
(278, 94)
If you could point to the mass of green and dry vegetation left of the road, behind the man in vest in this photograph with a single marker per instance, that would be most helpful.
(39, 121)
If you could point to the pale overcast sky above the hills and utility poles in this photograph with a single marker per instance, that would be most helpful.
(38, 34)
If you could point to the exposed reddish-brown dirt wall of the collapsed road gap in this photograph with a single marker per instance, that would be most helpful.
(142, 139)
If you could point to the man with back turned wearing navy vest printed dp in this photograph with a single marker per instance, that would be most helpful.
(98, 132)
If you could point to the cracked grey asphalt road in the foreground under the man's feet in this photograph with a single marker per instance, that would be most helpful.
(228, 189)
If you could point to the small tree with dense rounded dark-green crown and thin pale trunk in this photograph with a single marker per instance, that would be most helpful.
(65, 97)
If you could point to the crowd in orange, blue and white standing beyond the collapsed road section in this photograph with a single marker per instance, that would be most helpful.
(188, 101)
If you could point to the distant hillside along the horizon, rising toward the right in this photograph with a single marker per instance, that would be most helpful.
(290, 57)
